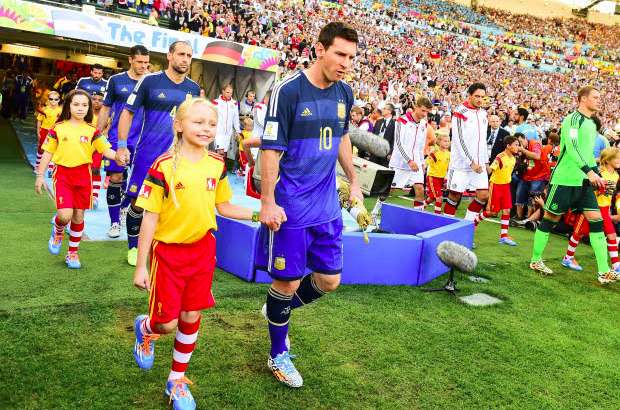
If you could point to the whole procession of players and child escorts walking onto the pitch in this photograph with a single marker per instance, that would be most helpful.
(157, 127)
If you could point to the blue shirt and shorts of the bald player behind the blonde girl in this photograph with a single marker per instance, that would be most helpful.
(159, 97)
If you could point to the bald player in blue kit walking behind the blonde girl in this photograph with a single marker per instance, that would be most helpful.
(158, 95)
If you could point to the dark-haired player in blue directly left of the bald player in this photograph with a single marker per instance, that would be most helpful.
(118, 90)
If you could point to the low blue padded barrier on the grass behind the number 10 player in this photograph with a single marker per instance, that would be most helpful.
(405, 255)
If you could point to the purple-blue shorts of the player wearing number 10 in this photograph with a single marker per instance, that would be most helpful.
(289, 253)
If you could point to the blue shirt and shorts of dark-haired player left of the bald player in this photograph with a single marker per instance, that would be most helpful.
(119, 88)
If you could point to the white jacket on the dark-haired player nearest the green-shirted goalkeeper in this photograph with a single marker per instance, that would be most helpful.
(469, 137)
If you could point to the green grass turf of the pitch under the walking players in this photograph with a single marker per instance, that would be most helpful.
(66, 340)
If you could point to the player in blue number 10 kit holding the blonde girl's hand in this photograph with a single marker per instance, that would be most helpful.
(306, 132)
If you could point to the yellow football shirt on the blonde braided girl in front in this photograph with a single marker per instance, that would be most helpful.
(198, 186)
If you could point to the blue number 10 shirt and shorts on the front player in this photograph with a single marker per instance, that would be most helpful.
(307, 124)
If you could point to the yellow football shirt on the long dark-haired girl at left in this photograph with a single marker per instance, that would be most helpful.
(74, 144)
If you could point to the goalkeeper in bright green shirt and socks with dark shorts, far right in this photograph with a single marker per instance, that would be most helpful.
(573, 183)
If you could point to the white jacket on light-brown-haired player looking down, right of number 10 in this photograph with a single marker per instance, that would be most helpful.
(409, 142)
